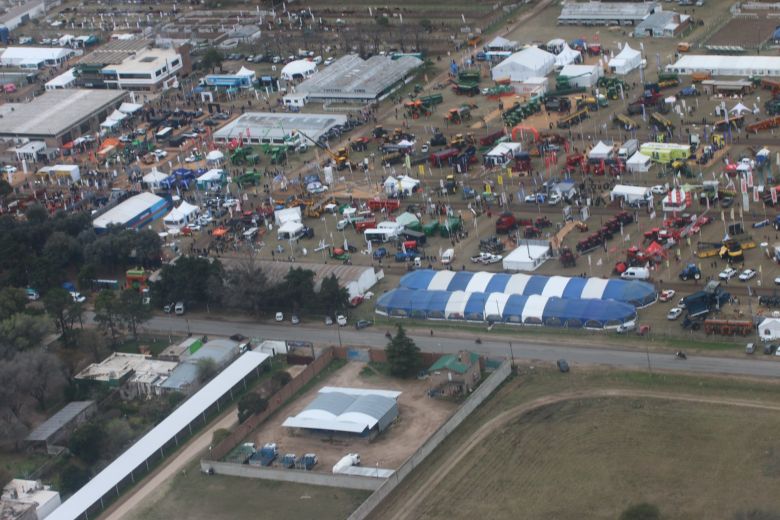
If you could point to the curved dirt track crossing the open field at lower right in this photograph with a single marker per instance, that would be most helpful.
(407, 505)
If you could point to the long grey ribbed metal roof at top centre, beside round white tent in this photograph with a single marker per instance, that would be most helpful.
(355, 78)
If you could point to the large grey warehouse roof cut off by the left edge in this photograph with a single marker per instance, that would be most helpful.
(56, 111)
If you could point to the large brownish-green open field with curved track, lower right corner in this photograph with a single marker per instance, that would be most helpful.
(566, 446)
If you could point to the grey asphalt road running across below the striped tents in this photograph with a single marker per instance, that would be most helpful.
(754, 366)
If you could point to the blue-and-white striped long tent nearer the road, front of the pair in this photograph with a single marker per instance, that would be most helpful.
(498, 307)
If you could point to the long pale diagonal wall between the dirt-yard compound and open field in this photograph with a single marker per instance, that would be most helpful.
(417, 458)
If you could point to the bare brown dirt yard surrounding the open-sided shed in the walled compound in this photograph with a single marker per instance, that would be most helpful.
(419, 416)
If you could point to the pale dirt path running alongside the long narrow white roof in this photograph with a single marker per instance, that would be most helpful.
(157, 484)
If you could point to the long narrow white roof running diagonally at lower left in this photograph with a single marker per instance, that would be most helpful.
(149, 444)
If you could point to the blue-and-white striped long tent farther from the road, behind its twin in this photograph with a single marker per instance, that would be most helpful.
(636, 293)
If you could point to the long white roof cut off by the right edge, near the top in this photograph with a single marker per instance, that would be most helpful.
(721, 65)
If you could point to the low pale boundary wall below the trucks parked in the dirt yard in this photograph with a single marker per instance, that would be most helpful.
(291, 475)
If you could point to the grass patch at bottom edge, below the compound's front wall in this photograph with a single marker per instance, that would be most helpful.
(196, 496)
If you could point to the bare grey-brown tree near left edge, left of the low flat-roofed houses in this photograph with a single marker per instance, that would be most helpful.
(41, 374)
